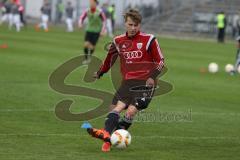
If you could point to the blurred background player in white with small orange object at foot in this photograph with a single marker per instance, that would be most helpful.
(46, 13)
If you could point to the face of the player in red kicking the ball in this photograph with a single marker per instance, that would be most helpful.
(131, 27)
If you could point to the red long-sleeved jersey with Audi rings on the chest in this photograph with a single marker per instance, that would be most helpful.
(140, 56)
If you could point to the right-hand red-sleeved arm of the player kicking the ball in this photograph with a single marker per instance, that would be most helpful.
(158, 58)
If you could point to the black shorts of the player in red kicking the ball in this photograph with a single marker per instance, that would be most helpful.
(134, 92)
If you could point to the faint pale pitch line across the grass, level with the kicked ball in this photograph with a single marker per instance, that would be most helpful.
(134, 136)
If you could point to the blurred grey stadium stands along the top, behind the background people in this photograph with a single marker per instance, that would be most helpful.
(160, 15)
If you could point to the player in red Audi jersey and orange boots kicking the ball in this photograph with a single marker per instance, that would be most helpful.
(141, 61)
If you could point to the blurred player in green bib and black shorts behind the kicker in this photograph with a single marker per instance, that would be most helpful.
(95, 28)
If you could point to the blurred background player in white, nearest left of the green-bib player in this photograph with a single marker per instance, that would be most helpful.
(69, 17)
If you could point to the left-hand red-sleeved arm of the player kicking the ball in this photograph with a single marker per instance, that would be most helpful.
(108, 62)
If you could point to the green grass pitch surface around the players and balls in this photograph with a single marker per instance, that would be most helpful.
(29, 128)
